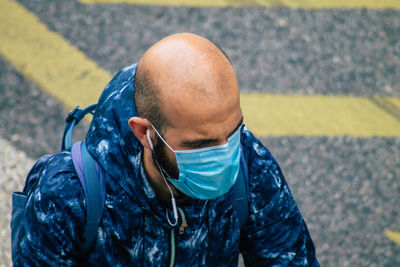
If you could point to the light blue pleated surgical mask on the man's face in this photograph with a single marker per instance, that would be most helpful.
(209, 172)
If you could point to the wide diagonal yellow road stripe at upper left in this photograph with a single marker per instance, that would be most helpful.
(47, 59)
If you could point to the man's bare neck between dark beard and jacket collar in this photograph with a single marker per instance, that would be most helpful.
(156, 180)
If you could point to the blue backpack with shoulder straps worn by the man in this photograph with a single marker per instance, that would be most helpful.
(92, 179)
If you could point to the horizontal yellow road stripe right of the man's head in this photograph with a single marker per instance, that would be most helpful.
(279, 115)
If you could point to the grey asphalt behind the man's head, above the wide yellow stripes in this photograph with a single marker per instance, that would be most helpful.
(330, 52)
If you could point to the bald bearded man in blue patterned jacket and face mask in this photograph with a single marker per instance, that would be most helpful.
(169, 137)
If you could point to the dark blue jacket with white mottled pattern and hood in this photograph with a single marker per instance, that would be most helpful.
(134, 230)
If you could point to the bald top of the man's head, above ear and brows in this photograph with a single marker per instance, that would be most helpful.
(182, 75)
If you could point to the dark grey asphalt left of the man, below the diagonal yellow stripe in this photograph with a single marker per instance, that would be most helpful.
(32, 120)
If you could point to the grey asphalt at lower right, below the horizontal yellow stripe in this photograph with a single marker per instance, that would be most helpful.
(348, 191)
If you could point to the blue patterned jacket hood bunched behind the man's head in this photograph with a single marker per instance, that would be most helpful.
(112, 143)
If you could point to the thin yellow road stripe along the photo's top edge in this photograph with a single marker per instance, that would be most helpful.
(306, 4)
